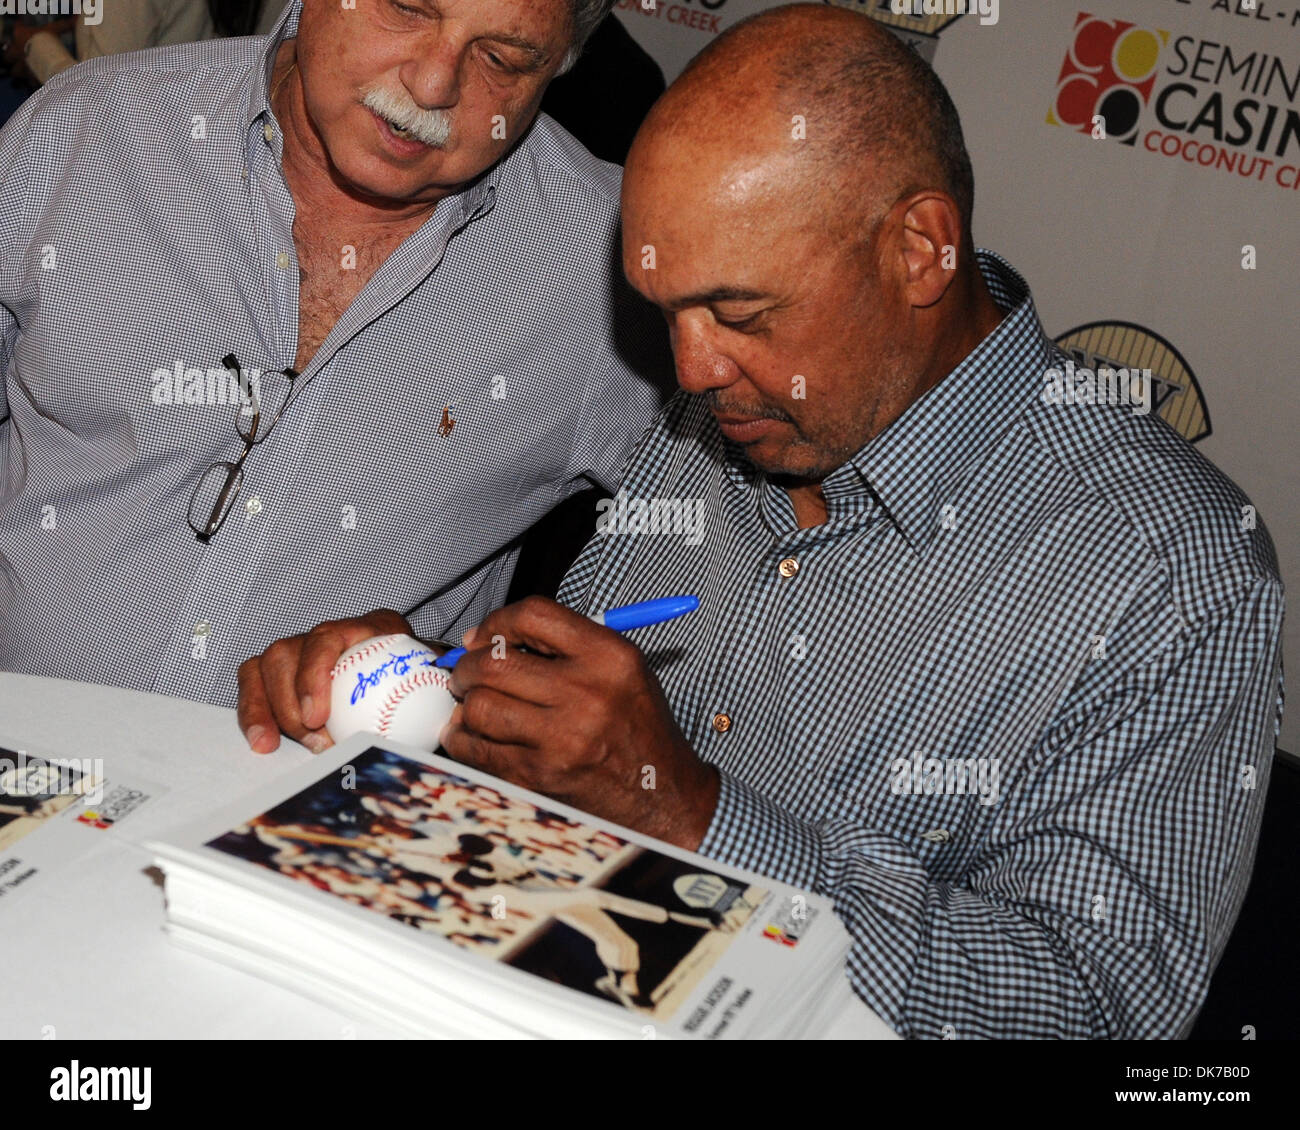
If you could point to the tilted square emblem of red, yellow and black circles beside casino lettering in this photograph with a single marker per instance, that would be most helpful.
(1108, 73)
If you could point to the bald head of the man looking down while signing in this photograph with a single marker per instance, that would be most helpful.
(799, 207)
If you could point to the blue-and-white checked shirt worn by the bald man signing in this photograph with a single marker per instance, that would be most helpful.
(1068, 592)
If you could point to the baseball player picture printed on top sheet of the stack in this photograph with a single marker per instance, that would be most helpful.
(500, 877)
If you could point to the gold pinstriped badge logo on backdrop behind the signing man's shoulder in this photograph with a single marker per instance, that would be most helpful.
(1176, 395)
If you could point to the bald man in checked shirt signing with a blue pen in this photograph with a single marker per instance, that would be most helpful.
(956, 666)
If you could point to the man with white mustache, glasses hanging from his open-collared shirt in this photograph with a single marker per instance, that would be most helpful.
(301, 324)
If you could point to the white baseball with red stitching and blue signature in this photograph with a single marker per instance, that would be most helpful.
(389, 686)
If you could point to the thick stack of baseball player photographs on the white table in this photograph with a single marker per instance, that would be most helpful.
(439, 902)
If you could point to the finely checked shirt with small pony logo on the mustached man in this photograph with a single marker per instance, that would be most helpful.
(131, 245)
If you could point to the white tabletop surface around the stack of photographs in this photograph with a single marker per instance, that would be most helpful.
(85, 951)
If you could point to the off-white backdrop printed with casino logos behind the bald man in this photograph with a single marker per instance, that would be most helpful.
(1134, 254)
